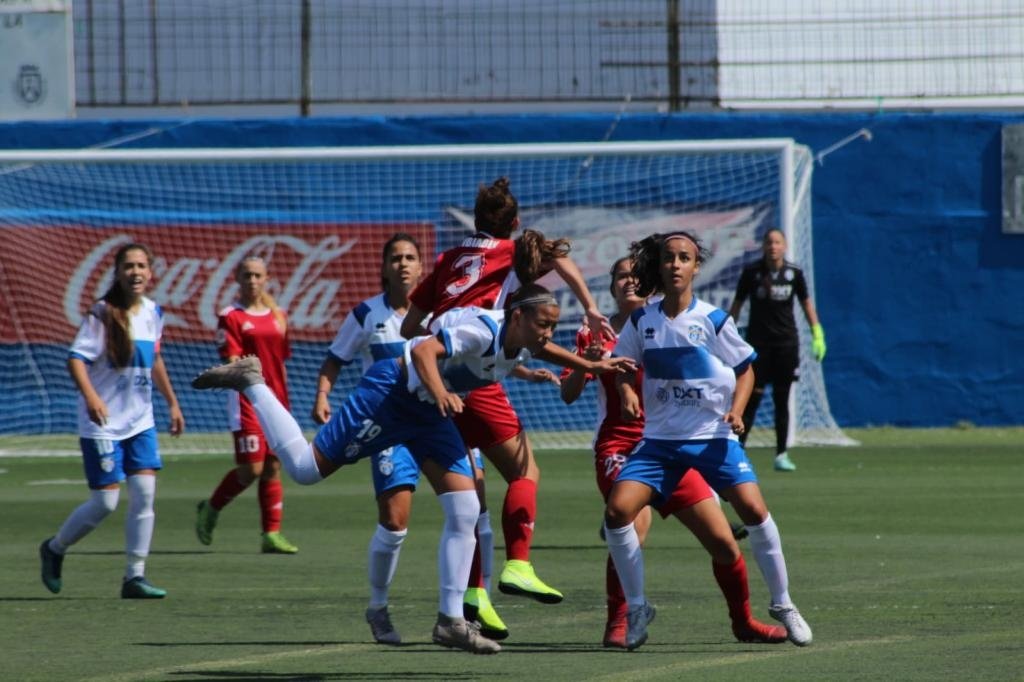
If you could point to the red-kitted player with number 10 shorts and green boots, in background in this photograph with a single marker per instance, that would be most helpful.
(253, 325)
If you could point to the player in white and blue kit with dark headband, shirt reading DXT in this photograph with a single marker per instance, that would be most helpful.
(698, 378)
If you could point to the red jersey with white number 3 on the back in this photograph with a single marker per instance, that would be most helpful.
(480, 272)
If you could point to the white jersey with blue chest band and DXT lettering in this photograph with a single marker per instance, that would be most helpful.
(691, 364)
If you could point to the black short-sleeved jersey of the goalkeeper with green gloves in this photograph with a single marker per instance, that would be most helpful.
(772, 294)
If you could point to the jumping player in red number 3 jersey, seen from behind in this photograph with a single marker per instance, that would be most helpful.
(482, 272)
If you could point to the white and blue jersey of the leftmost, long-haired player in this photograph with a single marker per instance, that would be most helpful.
(129, 391)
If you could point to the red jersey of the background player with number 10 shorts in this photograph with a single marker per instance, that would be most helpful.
(241, 333)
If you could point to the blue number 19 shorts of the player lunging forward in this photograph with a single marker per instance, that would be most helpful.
(380, 414)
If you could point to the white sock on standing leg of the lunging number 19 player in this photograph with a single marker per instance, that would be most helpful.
(455, 553)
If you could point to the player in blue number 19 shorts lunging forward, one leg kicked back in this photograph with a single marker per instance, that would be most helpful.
(409, 401)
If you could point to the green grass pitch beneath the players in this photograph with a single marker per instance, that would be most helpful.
(906, 556)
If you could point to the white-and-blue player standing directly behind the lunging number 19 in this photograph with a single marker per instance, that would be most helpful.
(372, 333)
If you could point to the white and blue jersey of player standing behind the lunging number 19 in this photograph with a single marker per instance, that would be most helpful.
(371, 332)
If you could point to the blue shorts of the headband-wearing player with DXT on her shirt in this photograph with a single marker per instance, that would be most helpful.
(661, 464)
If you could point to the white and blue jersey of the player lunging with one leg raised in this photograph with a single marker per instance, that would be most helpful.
(475, 346)
